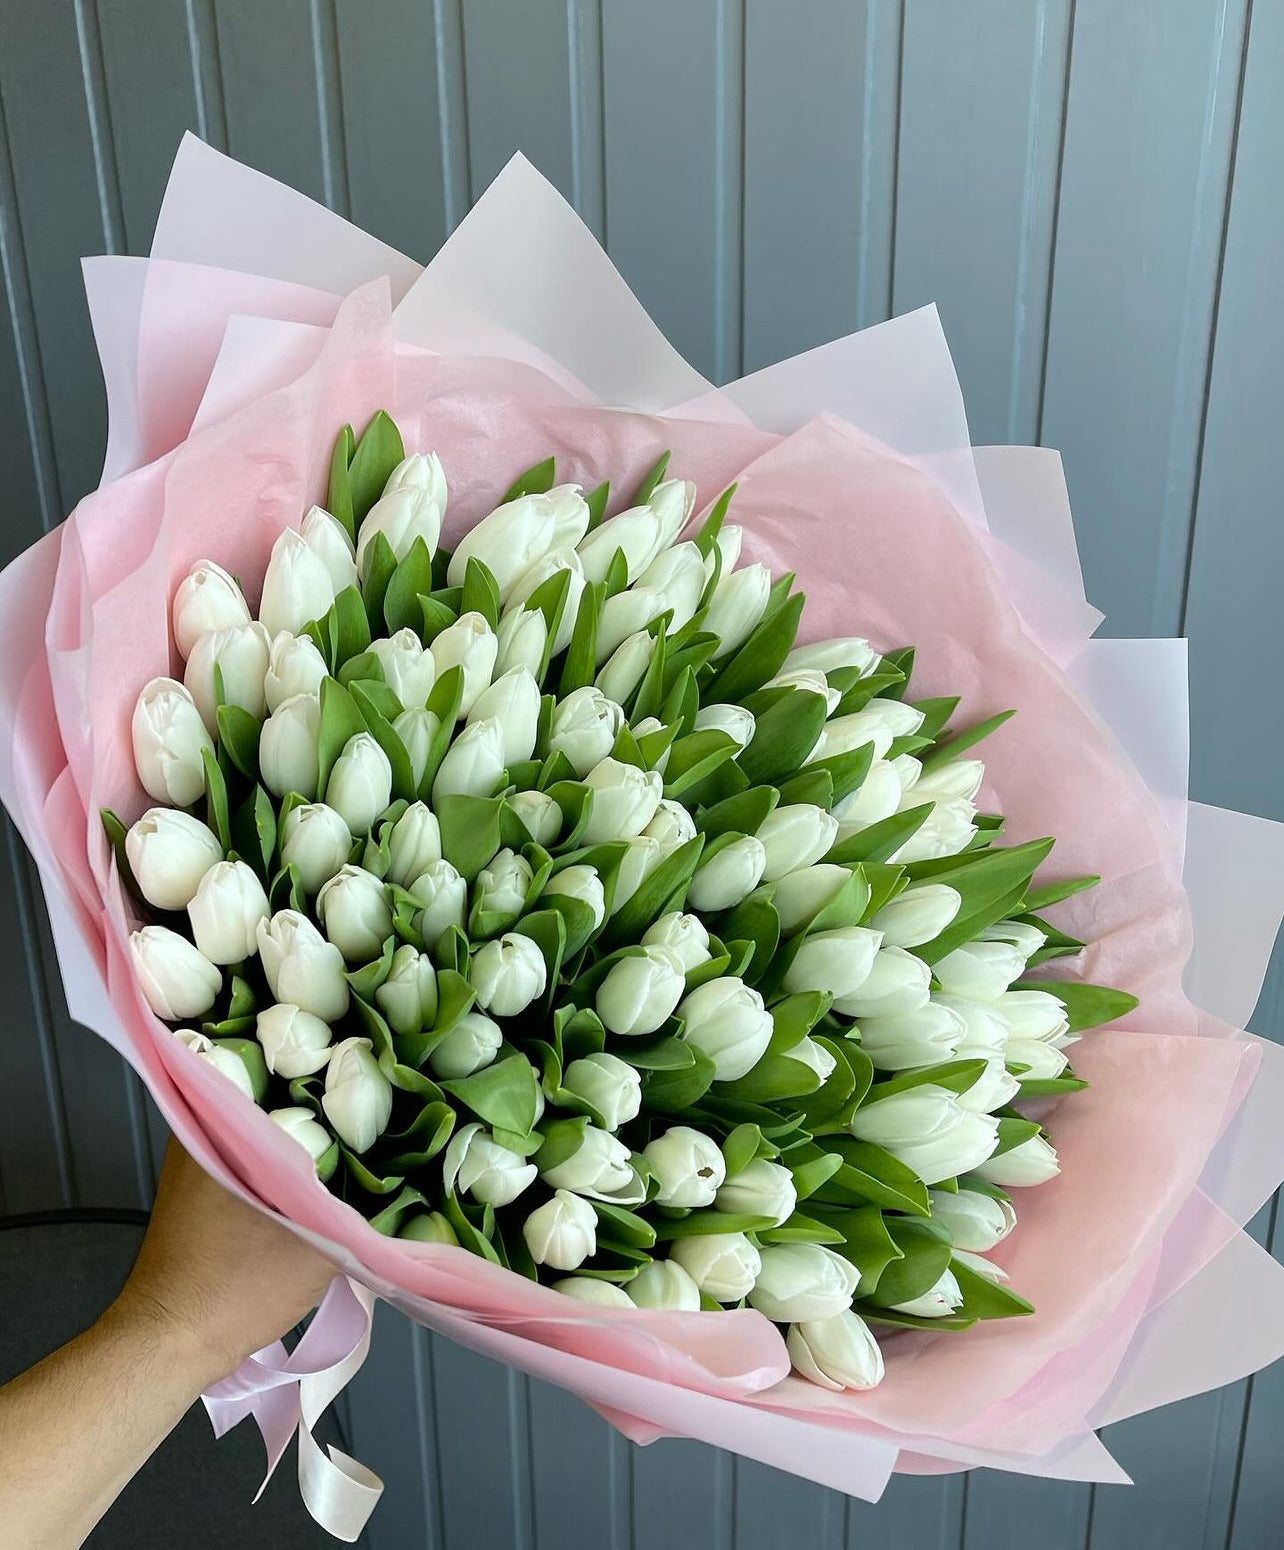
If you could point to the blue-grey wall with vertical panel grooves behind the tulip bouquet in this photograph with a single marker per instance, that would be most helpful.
(1092, 193)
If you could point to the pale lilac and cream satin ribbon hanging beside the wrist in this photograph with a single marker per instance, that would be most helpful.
(288, 1393)
